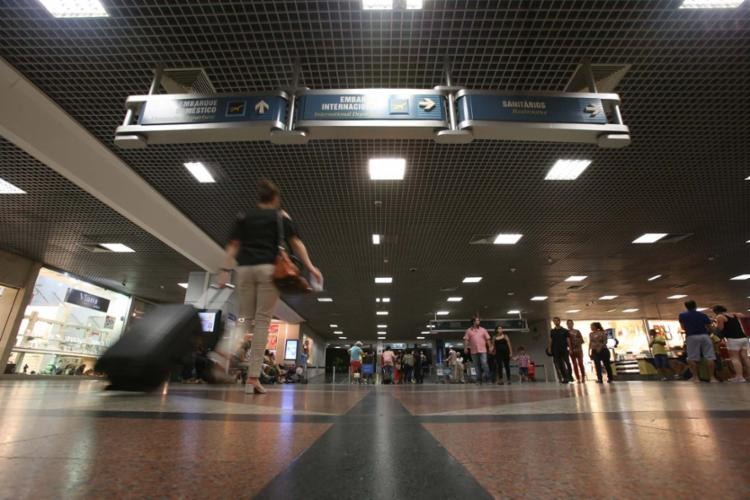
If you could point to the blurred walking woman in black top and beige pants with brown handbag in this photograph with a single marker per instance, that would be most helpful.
(253, 246)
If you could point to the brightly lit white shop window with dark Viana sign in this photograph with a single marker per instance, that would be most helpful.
(67, 326)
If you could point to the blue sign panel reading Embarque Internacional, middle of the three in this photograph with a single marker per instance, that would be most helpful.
(375, 105)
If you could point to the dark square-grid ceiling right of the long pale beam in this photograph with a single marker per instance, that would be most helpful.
(686, 99)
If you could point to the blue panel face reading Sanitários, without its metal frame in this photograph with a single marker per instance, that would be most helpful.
(530, 108)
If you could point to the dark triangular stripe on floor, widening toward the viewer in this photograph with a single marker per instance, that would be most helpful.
(376, 450)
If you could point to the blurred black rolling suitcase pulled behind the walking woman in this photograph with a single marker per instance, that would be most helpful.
(142, 358)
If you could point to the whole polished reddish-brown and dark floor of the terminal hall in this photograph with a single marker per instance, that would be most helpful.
(70, 439)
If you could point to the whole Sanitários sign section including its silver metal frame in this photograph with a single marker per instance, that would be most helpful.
(555, 117)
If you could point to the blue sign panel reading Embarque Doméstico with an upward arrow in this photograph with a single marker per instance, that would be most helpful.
(168, 110)
